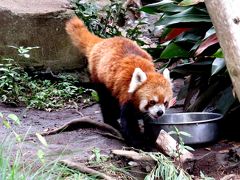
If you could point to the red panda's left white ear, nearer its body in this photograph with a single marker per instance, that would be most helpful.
(138, 77)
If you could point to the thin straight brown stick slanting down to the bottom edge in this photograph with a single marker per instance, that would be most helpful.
(84, 169)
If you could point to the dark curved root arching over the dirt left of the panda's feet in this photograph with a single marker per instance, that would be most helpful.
(80, 123)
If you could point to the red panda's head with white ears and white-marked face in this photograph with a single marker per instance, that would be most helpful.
(151, 92)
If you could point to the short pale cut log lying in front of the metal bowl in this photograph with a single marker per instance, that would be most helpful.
(168, 145)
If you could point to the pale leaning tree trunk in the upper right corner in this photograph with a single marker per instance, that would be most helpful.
(225, 16)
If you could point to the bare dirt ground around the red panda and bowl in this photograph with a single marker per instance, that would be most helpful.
(215, 160)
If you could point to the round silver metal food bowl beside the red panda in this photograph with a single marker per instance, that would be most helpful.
(202, 126)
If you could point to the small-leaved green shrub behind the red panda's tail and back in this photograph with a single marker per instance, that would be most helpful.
(107, 21)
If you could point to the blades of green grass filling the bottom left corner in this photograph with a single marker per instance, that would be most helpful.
(13, 167)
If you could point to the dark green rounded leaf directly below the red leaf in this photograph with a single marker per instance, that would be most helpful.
(173, 50)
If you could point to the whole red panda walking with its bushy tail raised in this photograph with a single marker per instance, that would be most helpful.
(125, 78)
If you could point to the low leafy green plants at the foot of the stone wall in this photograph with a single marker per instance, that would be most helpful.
(17, 87)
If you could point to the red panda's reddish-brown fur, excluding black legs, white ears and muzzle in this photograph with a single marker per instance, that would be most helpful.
(112, 62)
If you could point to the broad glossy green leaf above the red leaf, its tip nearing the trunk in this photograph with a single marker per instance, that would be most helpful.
(188, 17)
